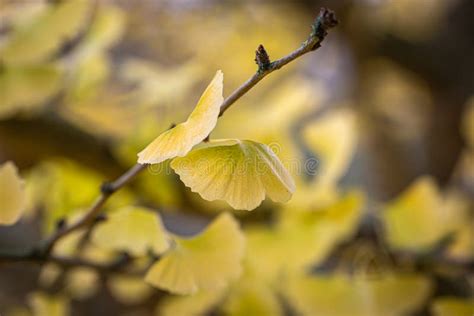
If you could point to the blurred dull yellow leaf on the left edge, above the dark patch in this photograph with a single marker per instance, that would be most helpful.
(27, 87)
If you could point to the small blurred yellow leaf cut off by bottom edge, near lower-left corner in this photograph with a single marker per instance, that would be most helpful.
(46, 305)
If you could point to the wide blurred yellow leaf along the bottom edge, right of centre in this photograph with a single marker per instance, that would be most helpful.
(342, 295)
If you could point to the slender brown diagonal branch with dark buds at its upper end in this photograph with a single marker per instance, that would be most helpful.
(42, 252)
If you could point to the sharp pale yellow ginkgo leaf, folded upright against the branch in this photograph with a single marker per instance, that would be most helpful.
(178, 141)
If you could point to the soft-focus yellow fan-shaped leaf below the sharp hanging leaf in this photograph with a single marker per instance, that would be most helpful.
(205, 262)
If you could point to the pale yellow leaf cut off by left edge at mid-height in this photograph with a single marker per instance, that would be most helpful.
(12, 194)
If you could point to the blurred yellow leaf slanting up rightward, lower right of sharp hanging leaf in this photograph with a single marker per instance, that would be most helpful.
(307, 237)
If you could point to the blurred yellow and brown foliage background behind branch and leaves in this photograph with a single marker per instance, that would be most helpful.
(376, 127)
